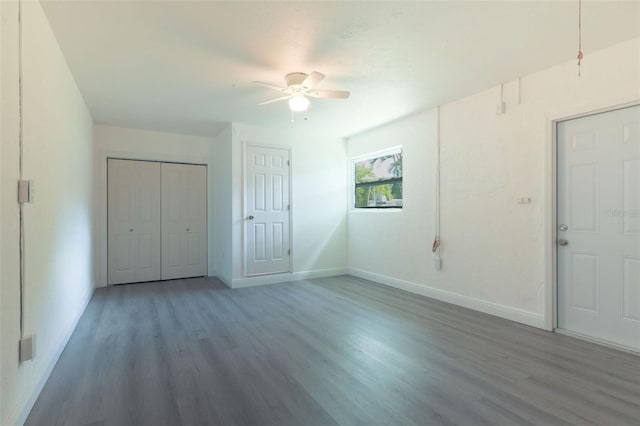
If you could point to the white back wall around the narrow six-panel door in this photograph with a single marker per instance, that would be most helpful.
(318, 203)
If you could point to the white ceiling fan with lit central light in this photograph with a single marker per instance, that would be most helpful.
(299, 86)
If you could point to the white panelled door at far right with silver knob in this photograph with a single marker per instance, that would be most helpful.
(599, 226)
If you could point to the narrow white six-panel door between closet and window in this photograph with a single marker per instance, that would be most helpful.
(267, 211)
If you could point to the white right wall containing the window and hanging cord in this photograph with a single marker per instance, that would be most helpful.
(496, 253)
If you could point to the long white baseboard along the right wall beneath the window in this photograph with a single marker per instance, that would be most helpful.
(490, 308)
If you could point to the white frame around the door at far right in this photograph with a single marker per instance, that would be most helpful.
(550, 207)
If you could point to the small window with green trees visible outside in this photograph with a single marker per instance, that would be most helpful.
(378, 179)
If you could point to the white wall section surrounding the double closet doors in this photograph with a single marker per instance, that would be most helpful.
(136, 144)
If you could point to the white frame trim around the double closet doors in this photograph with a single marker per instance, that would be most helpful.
(100, 201)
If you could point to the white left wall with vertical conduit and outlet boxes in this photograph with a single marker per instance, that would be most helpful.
(57, 157)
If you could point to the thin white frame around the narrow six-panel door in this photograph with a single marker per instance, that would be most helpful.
(245, 146)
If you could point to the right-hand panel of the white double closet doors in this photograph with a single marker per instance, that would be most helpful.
(184, 221)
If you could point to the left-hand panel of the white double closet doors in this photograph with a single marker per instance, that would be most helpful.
(133, 204)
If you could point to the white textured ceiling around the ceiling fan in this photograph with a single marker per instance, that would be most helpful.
(187, 66)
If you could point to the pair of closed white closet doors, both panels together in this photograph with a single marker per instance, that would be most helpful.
(156, 221)
